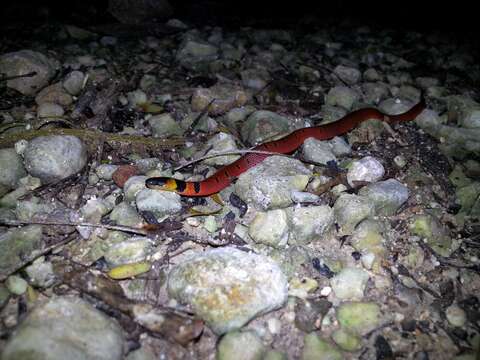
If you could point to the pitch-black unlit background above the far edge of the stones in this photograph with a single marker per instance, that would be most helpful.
(459, 17)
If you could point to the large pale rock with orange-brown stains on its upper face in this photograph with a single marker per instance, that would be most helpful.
(227, 287)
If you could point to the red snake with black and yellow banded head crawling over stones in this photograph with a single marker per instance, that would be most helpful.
(286, 145)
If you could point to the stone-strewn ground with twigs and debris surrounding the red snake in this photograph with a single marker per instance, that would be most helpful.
(364, 246)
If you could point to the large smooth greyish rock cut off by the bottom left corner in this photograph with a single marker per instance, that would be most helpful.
(66, 327)
